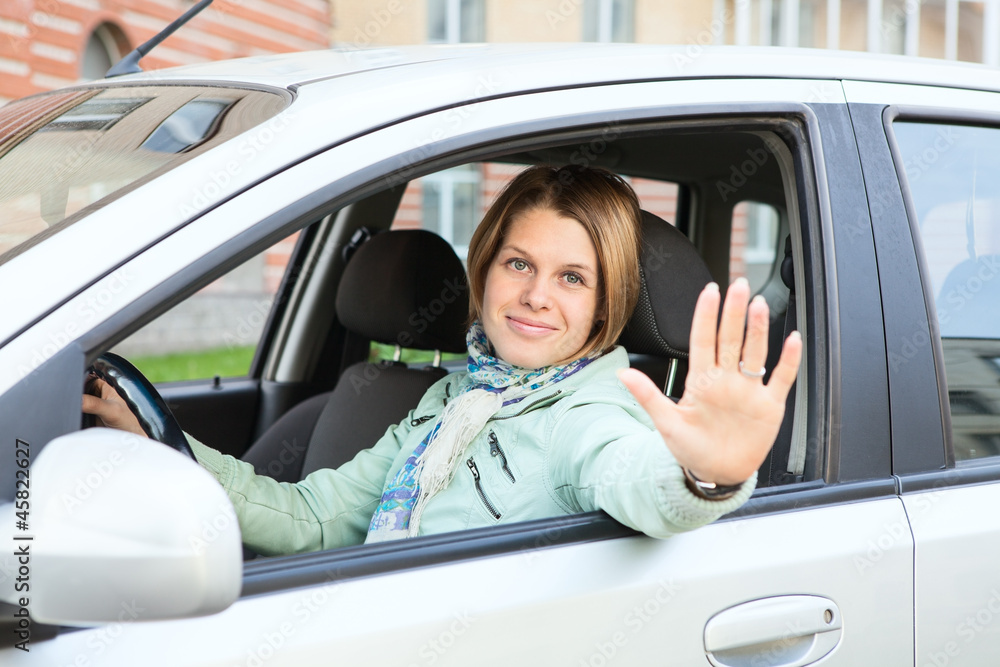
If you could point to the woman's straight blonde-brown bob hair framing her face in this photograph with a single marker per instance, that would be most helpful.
(608, 209)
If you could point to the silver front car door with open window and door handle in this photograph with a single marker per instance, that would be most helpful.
(819, 567)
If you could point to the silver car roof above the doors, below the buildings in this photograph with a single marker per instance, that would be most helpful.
(576, 64)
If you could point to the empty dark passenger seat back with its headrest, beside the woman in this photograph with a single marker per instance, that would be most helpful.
(405, 288)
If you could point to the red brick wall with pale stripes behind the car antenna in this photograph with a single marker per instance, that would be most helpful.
(42, 42)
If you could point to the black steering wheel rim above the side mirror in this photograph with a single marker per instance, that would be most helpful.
(142, 399)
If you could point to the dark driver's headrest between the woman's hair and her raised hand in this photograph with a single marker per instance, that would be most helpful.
(673, 275)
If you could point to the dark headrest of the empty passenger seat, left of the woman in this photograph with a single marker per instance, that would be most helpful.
(406, 287)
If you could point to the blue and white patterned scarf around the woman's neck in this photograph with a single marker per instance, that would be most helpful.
(490, 385)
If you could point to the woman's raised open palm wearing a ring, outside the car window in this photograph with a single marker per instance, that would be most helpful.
(725, 423)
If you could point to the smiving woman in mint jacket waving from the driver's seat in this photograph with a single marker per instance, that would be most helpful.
(542, 424)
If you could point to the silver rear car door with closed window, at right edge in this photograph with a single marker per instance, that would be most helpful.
(932, 154)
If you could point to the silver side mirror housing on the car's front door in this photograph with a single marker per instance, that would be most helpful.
(116, 520)
